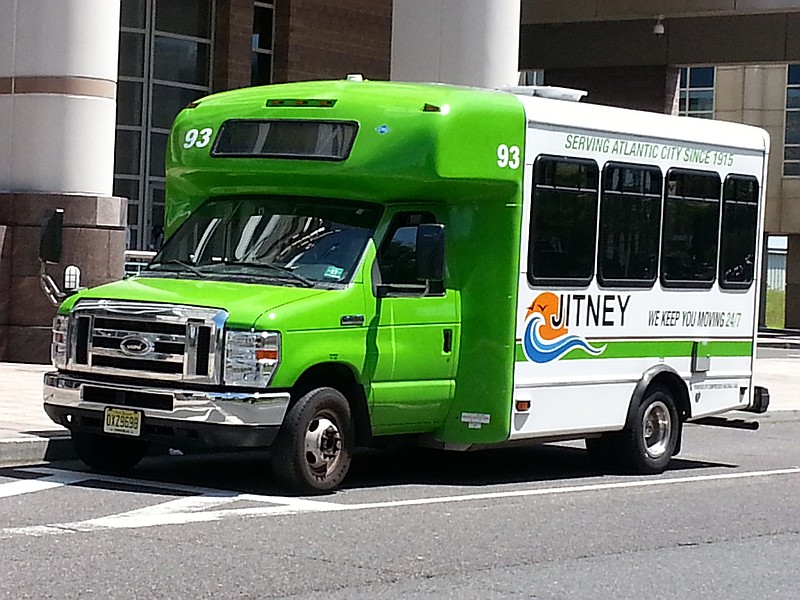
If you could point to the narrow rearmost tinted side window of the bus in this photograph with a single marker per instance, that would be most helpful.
(739, 226)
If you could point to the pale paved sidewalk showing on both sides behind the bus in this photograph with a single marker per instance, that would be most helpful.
(28, 436)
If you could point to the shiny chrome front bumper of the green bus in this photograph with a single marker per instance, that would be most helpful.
(180, 417)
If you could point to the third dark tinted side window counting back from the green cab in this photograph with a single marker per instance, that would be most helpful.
(691, 229)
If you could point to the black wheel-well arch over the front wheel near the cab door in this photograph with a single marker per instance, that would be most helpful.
(343, 379)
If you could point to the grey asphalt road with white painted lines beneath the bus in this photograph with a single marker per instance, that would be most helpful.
(537, 522)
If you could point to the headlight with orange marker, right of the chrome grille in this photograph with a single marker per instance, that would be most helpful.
(251, 357)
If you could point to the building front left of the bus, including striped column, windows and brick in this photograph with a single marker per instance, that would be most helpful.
(88, 90)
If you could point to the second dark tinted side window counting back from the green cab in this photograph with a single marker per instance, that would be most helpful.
(630, 217)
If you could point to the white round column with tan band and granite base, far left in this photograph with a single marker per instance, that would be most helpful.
(58, 72)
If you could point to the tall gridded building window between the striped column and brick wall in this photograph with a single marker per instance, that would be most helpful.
(165, 59)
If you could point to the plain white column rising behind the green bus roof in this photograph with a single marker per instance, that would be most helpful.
(468, 42)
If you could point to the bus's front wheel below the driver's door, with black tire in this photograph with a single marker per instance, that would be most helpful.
(312, 452)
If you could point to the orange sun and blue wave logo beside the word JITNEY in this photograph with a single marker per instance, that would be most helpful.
(546, 338)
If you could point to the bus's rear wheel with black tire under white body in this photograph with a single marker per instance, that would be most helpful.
(649, 442)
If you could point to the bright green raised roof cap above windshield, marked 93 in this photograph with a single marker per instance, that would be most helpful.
(414, 142)
